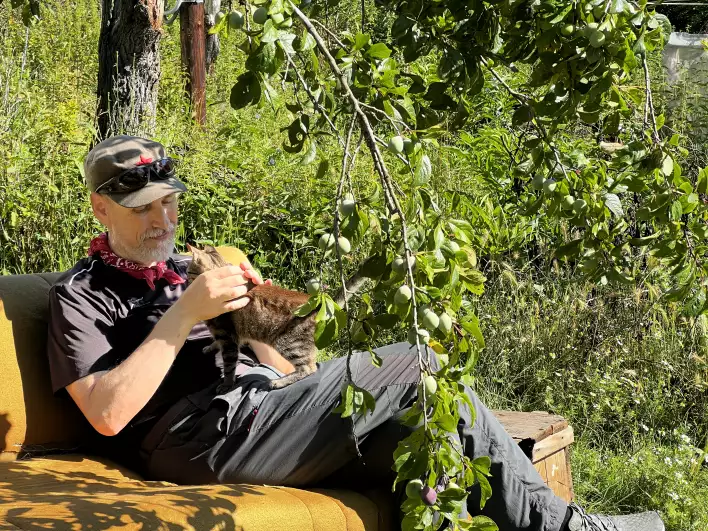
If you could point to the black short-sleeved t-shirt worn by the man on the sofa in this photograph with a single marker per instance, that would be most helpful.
(99, 316)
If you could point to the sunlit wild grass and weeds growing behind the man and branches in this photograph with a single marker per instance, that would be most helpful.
(628, 371)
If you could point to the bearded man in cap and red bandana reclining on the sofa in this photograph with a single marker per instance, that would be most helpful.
(126, 341)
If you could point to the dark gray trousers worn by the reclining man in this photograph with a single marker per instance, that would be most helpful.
(291, 437)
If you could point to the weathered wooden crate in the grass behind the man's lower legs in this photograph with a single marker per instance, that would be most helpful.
(546, 440)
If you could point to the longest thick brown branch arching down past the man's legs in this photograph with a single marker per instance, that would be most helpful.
(382, 170)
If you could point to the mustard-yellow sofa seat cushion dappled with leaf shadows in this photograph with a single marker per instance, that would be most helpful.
(78, 492)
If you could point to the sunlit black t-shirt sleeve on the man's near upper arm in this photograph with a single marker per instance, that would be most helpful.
(76, 345)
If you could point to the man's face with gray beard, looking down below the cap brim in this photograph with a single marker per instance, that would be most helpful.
(143, 234)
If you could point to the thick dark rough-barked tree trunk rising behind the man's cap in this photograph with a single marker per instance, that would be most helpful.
(129, 66)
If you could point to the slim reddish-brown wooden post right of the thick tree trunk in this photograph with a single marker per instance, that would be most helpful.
(193, 39)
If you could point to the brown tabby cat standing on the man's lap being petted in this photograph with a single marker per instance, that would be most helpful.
(268, 318)
